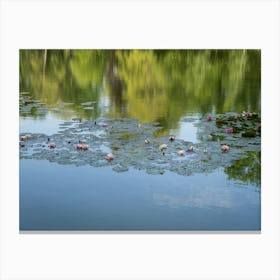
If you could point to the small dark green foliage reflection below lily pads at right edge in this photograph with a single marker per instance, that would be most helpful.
(247, 169)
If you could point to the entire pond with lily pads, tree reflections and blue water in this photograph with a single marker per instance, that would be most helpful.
(203, 105)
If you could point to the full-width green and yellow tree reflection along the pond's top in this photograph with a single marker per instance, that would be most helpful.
(150, 85)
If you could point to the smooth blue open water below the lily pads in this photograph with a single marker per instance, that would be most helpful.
(65, 197)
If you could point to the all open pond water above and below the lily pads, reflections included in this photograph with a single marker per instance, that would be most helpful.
(163, 86)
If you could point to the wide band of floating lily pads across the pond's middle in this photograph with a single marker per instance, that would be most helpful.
(125, 139)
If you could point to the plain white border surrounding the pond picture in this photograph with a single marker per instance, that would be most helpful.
(146, 24)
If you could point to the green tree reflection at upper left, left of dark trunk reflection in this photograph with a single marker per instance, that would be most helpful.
(70, 76)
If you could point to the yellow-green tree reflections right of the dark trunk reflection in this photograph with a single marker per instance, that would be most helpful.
(164, 85)
